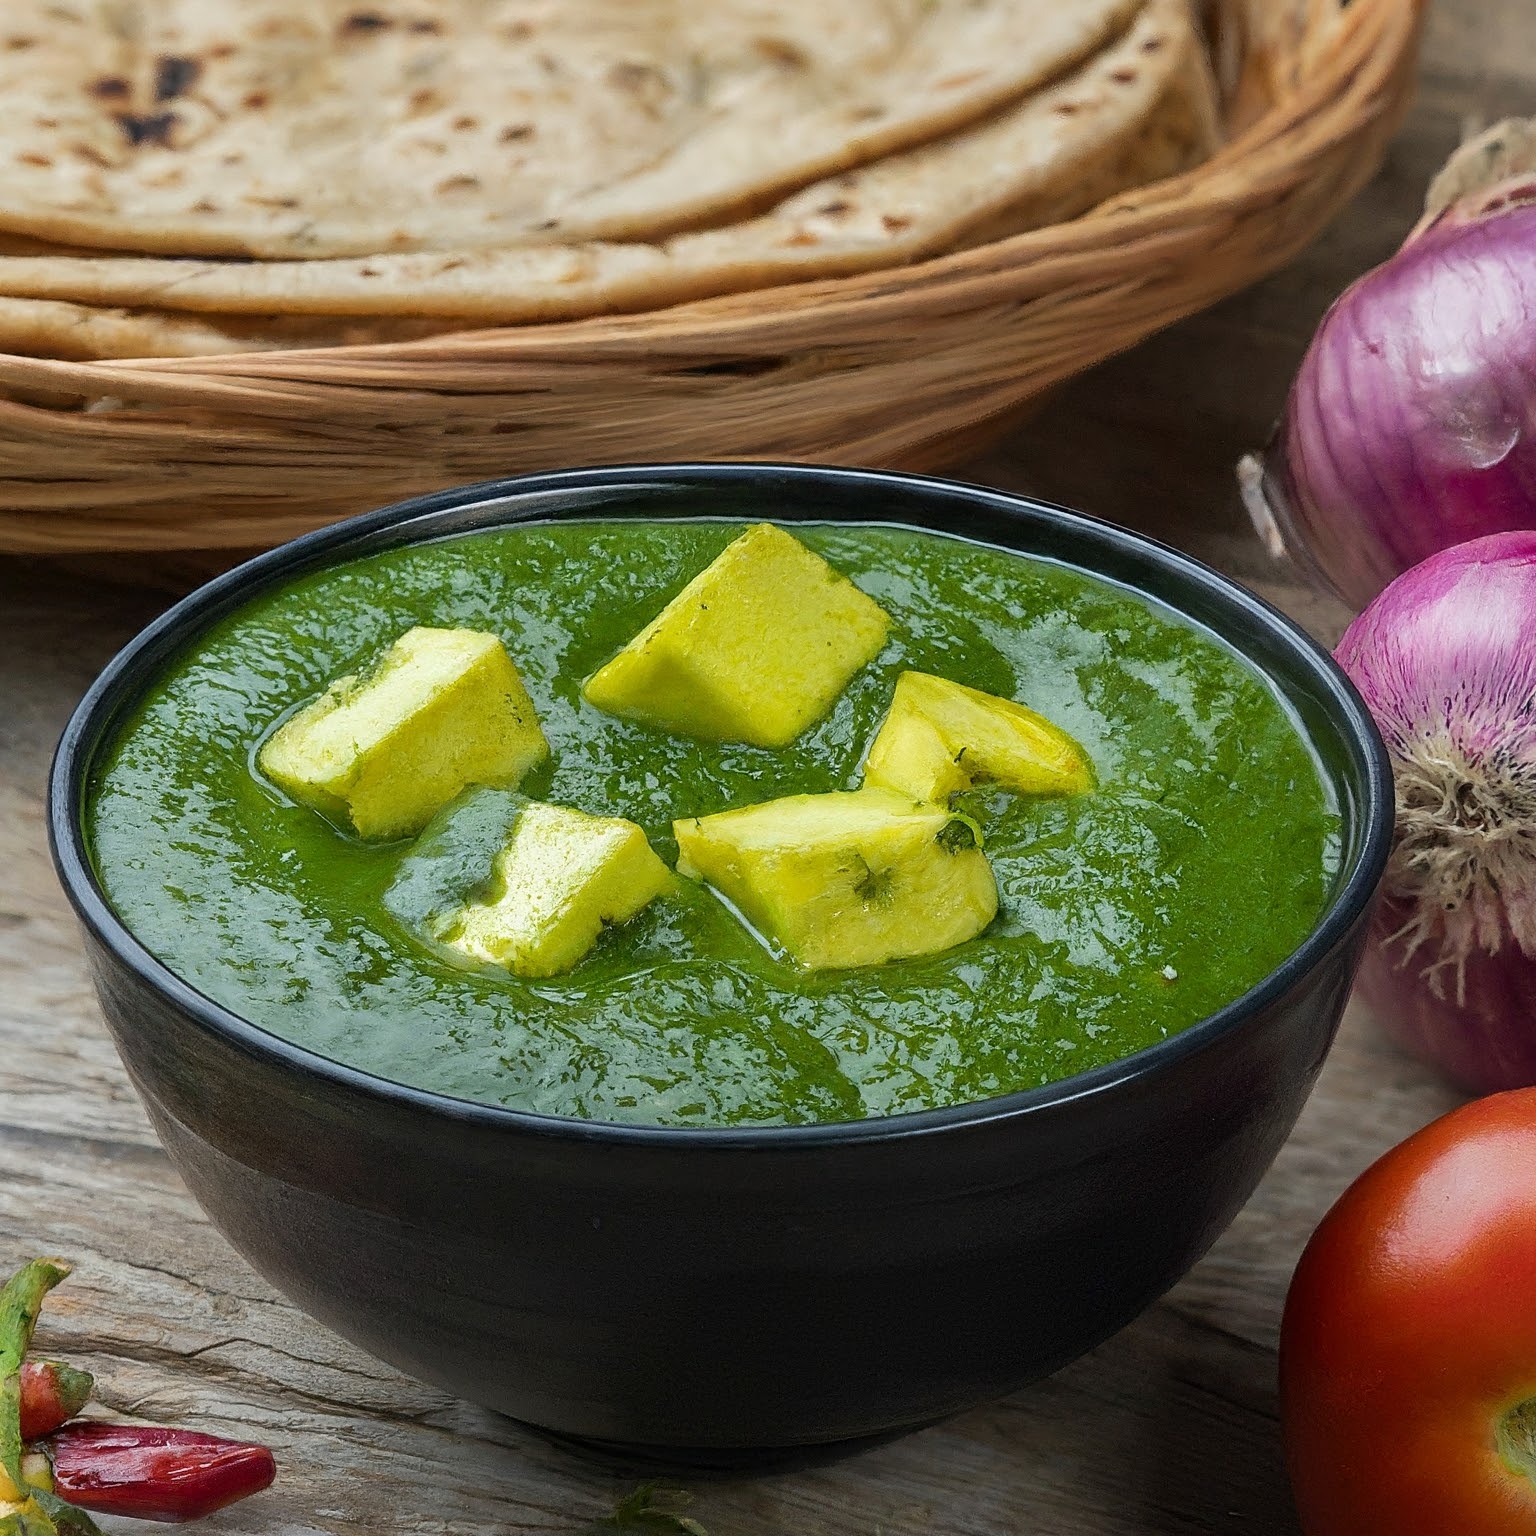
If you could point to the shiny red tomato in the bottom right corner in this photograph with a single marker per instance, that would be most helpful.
(1408, 1356)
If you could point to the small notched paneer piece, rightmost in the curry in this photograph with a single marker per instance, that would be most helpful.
(941, 737)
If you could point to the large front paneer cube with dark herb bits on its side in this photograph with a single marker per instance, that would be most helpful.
(850, 879)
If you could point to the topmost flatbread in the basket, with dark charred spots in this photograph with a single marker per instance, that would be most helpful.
(329, 128)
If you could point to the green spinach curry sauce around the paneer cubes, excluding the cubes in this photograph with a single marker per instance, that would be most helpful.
(1202, 858)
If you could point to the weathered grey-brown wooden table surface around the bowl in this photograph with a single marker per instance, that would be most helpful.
(1170, 1428)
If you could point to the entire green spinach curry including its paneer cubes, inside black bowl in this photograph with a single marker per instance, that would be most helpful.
(712, 824)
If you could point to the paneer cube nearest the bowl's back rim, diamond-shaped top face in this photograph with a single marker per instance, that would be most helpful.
(755, 649)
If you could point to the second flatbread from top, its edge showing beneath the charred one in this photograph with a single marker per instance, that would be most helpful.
(1142, 110)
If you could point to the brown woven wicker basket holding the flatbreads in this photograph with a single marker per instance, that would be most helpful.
(904, 368)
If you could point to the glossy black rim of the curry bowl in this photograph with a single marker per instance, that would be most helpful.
(137, 663)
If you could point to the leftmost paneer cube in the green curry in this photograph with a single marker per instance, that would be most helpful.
(385, 750)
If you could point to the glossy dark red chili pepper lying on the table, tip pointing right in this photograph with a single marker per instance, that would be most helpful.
(154, 1474)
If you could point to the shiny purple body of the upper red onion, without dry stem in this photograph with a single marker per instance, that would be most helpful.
(1412, 423)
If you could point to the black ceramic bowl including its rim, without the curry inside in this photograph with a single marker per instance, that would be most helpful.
(732, 1293)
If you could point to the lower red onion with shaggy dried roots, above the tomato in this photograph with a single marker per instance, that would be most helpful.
(1446, 660)
